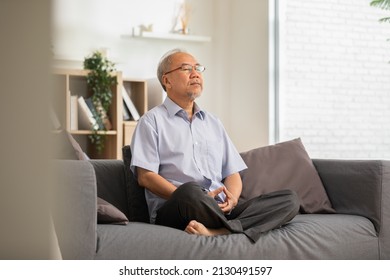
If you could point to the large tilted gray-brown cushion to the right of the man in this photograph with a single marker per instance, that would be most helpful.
(285, 166)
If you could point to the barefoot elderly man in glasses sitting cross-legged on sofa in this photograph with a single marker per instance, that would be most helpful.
(189, 167)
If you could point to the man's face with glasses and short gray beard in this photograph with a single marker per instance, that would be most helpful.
(187, 84)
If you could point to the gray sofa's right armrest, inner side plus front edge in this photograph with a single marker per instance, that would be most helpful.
(360, 187)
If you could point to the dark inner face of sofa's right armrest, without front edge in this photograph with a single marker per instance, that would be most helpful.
(354, 186)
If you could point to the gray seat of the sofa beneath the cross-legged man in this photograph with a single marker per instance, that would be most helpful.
(308, 236)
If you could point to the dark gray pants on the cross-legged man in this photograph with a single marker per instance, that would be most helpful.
(253, 217)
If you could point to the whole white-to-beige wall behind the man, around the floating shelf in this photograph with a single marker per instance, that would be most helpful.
(236, 87)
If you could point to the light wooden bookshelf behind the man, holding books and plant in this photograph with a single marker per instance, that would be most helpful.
(69, 82)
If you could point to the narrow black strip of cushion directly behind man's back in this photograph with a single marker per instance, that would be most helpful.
(138, 209)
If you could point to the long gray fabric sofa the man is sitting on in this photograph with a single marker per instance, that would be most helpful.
(360, 228)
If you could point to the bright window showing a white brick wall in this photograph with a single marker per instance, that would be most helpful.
(333, 86)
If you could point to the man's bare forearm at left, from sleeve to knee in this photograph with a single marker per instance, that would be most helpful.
(155, 183)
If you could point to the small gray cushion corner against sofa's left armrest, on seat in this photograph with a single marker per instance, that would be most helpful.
(109, 214)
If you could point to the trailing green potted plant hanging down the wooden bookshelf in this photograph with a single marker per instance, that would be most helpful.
(100, 80)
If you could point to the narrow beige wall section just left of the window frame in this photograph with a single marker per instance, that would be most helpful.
(249, 74)
